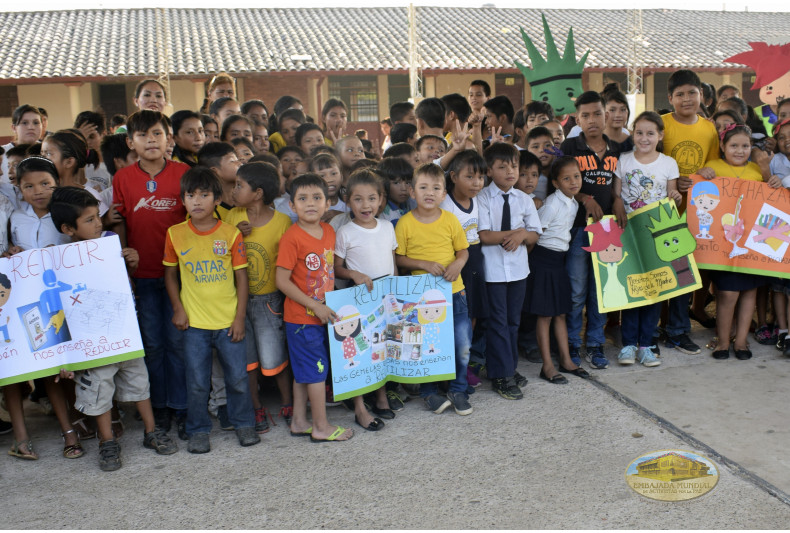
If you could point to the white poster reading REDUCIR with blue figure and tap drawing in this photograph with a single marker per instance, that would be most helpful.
(67, 306)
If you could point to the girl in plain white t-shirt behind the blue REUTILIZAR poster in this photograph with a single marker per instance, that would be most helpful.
(364, 251)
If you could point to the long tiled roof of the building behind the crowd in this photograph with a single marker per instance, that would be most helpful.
(110, 43)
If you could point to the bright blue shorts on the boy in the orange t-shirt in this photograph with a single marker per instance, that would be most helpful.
(308, 347)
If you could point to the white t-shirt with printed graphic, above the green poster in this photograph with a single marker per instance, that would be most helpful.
(644, 184)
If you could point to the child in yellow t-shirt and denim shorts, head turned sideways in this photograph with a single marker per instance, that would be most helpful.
(257, 185)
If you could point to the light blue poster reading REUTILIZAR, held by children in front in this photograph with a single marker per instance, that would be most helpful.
(400, 331)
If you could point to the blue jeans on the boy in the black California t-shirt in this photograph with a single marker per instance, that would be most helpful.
(579, 267)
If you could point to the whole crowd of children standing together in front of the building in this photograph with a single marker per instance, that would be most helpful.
(235, 223)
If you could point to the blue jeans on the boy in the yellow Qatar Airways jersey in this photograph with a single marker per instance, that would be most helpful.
(233, 358)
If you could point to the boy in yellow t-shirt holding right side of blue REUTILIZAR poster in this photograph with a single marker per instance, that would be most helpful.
(431, 240)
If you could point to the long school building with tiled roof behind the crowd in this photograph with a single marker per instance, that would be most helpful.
(69, 61)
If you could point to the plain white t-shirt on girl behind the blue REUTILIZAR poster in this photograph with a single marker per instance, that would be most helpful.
(367, 250)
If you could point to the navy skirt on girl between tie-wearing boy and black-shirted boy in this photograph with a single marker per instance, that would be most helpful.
(548, 284)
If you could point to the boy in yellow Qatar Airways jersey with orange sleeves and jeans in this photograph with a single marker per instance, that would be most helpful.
(210, 308)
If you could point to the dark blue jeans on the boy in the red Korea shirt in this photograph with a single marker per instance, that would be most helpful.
(163, 343)
